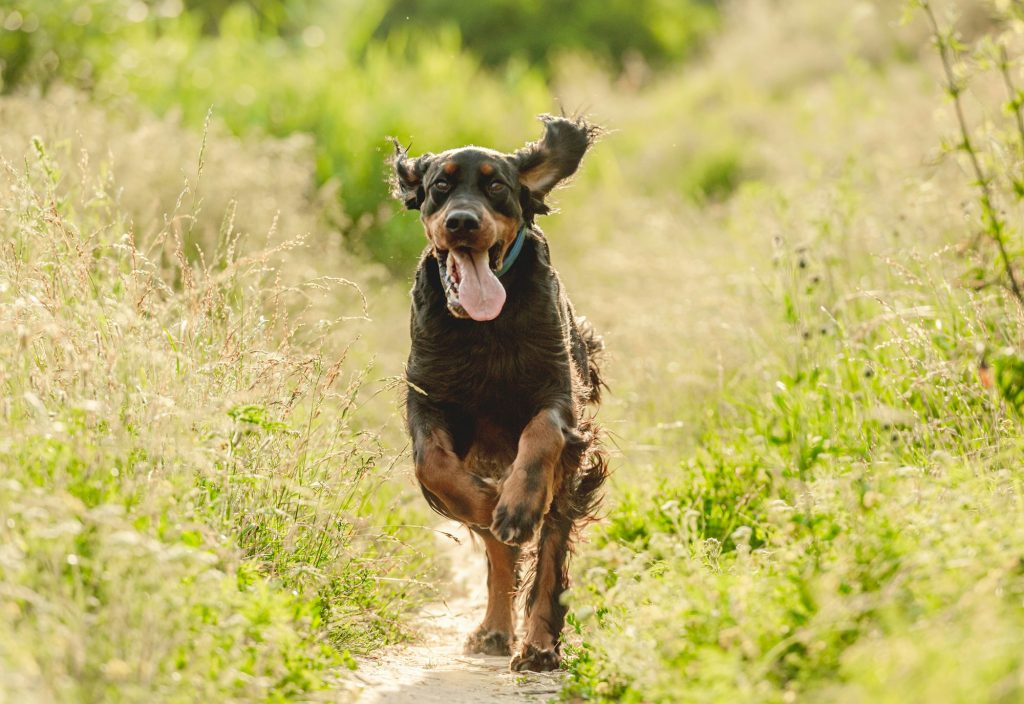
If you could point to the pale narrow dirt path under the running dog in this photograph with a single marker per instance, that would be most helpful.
(434, 670)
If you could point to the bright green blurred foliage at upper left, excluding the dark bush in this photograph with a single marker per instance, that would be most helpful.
(329, 80)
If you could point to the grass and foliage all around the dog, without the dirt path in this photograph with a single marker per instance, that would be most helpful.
(800, 239)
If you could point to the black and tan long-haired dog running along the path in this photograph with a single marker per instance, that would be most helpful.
(500, 375)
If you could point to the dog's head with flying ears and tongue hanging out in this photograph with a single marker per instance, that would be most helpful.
(474, 203)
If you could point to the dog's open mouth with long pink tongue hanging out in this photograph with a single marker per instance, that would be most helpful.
(472, 286)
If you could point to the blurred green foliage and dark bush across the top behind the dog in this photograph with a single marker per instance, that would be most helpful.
(350, 73)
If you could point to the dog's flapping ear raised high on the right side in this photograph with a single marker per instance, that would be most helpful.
(556, 157)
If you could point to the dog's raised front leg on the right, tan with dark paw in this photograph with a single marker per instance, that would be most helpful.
(527, 492)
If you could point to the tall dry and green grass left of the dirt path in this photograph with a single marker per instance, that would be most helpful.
(188, 510)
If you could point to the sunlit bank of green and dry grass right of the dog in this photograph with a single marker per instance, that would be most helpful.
(820, 497)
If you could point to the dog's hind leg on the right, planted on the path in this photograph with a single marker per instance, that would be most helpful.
(541, 649)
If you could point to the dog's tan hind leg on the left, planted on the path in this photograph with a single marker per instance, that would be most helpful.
(497, 634)
